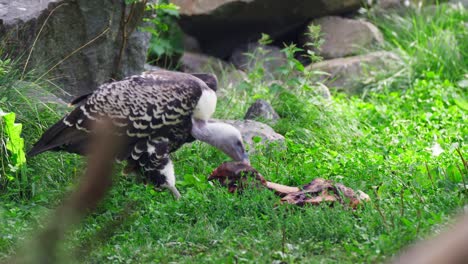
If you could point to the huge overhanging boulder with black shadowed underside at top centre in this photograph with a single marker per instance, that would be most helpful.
(222, 25)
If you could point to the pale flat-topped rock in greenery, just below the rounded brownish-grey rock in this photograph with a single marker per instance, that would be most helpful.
(348, 74)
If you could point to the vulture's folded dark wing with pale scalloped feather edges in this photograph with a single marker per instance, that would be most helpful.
(139, 106)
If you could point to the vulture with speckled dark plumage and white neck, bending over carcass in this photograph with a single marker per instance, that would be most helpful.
(154, 114)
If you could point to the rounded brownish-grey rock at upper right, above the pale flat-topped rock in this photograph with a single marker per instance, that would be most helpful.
(345, 37)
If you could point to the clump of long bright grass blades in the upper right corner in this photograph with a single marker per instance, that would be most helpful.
(428, 39)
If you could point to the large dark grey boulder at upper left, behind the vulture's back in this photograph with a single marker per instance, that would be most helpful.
(78, 43)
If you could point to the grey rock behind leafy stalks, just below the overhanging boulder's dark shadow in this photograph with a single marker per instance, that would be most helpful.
(270, 58)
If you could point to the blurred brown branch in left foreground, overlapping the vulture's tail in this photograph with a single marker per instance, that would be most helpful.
(91, 190)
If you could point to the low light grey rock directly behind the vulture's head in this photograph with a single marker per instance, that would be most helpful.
(251, 130)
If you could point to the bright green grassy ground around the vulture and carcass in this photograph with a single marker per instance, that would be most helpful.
(384, 144)
